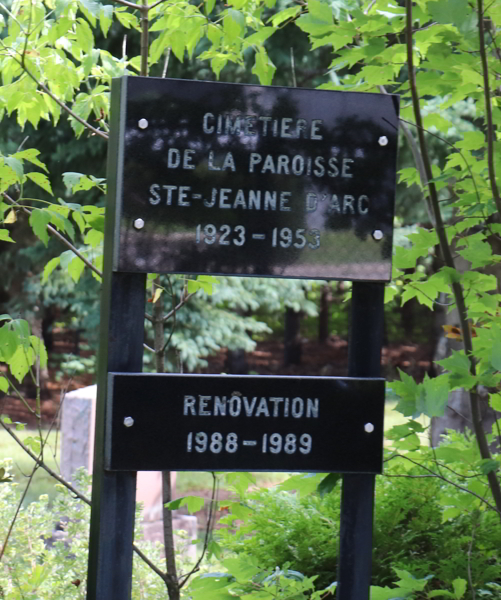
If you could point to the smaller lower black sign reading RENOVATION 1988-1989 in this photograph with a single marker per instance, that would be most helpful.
(228, 423)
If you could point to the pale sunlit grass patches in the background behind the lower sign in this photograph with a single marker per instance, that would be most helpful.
(42, 483)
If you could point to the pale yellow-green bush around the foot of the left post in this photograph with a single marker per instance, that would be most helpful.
(46, 555)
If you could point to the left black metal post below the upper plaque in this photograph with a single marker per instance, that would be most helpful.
(114, 493)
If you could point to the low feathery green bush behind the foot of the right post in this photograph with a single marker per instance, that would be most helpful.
(410, 534)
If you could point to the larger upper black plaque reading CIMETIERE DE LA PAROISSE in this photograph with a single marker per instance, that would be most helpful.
(250, 180)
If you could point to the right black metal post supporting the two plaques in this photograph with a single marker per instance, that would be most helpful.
(357, 499)
